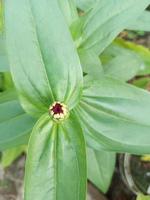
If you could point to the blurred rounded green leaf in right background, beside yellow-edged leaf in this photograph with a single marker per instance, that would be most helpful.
(124, 66)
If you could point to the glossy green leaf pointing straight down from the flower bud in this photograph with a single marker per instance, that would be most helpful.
(56, 160)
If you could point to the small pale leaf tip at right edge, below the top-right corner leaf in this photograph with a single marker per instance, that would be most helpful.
(142, 23)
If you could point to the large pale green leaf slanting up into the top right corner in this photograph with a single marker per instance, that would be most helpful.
(106, 21)
